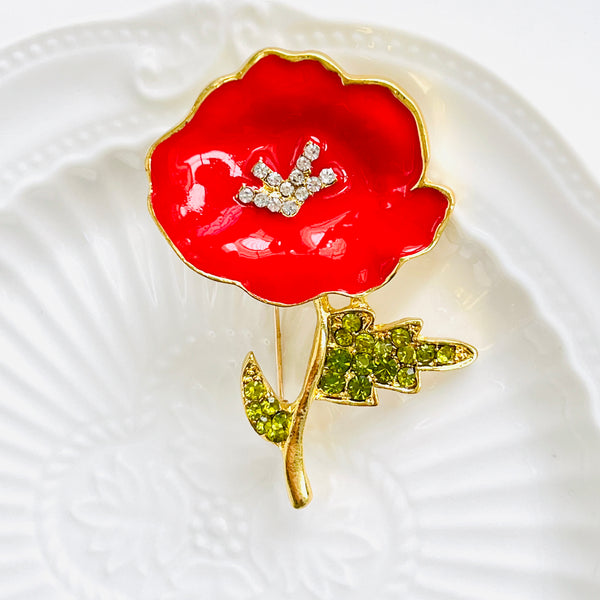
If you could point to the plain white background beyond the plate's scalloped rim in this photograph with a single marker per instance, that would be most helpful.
(548, 51)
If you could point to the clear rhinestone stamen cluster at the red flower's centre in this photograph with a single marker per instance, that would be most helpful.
(286, 196)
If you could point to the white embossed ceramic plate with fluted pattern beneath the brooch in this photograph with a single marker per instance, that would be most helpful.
(127, 467)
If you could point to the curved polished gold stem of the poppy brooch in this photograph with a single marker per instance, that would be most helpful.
(298, 484)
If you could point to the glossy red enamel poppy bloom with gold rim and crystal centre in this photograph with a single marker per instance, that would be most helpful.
(365, 206)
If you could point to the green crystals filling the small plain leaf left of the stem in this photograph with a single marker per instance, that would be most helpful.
(263, 409)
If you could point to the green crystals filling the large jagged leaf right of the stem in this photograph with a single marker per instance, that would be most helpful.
(360, 357)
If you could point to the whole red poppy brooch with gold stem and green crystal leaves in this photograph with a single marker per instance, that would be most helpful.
(294, 180)
